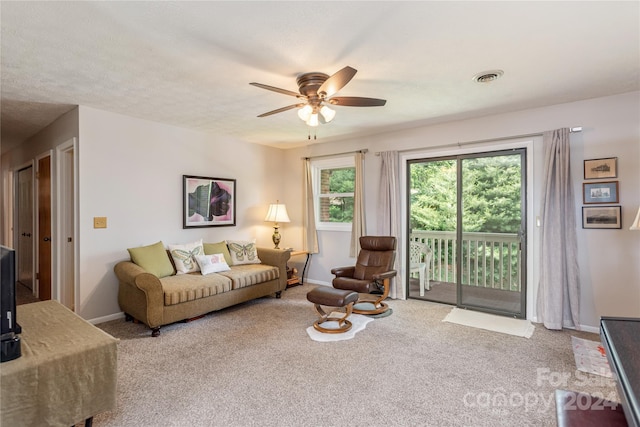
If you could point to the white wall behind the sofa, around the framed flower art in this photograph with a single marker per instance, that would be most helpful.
(131, 172)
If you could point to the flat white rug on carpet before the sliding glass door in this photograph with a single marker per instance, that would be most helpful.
(491, 322)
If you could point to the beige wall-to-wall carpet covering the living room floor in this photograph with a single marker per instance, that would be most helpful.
(254, 365)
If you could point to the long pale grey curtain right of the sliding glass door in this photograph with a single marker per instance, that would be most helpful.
(558, 292)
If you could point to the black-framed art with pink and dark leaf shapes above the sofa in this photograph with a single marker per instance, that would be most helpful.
(208, 202)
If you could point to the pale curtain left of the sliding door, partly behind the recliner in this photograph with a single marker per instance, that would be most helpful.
(389, 213)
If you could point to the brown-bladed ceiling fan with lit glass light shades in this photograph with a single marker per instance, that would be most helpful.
(316, 93)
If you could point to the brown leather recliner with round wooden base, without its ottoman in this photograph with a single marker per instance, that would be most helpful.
(371, 274)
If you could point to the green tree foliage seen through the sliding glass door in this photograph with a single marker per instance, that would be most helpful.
(491, 198)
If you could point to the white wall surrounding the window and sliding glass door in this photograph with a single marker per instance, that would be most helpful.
(609, 259)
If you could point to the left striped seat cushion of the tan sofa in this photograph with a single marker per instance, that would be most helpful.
(189, 287)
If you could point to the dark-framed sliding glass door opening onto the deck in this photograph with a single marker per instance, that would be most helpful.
(469, 212)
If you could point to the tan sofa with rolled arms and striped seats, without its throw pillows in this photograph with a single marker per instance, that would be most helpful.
(160, 301)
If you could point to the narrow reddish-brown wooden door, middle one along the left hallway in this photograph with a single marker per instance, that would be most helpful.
(44, 228)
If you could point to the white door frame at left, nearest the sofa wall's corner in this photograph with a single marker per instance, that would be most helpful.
(60, 197)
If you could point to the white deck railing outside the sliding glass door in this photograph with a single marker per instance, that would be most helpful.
(489, 260)
